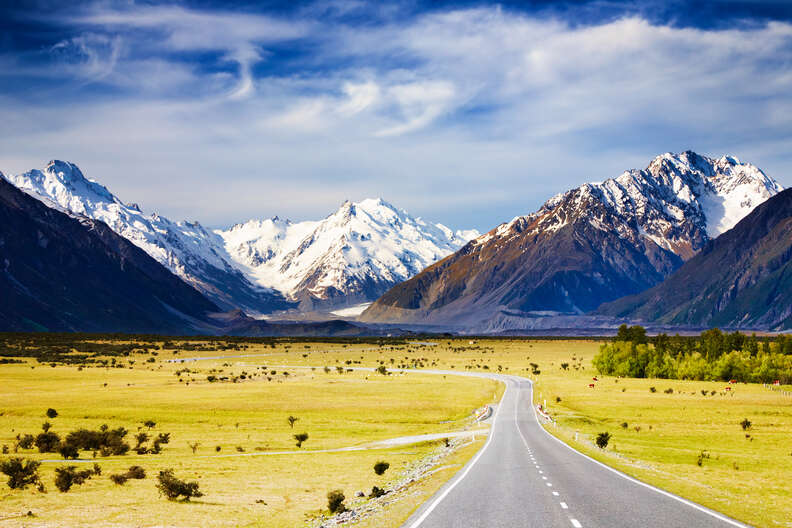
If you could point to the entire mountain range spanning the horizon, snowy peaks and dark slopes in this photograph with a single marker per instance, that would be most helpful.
(689, 240)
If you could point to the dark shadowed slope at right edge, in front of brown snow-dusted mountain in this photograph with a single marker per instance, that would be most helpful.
(741, 279)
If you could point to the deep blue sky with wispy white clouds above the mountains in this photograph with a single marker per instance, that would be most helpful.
(467, 113)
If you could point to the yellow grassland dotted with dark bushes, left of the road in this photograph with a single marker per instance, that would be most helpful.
(243, 486)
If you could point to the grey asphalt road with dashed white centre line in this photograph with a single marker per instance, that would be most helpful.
(524, 477)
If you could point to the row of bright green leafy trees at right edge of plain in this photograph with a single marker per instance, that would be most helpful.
(712, 356)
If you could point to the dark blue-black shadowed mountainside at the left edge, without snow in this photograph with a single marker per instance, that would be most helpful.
(61, 273)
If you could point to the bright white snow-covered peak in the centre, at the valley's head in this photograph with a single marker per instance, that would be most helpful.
(352, 256)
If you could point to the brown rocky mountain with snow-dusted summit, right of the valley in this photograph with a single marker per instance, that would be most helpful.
(590, 245)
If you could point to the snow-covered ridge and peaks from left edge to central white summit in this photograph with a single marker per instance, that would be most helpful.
(350, 257)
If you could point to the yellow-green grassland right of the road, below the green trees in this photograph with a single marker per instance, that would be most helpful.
(746, 477)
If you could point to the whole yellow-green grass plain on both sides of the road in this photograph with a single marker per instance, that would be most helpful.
(666, 434)
